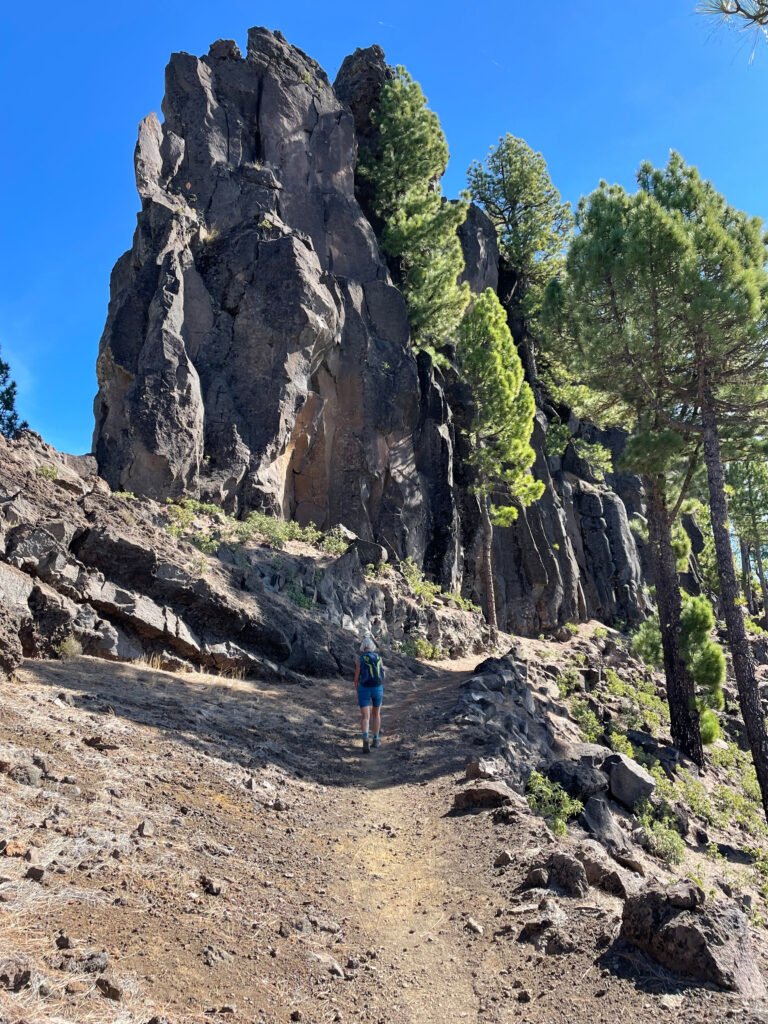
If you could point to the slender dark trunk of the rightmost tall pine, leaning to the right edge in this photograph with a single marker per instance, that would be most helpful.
(744, 666)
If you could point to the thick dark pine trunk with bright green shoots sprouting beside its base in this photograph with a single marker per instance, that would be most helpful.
(680, 690)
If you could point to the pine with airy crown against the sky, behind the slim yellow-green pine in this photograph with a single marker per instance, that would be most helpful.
(533, 224)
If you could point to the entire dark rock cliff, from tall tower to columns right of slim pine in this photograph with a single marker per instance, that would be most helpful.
(258, 355)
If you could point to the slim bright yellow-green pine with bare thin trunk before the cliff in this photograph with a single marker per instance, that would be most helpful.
(502, 423)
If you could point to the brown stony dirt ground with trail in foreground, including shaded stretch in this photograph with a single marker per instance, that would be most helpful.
(231, 855)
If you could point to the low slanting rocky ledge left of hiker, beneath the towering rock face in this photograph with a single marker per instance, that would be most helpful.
(82, 570)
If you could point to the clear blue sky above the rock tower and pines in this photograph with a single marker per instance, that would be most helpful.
(596, 86)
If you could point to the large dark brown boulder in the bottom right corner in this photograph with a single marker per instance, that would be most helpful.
(709, 942)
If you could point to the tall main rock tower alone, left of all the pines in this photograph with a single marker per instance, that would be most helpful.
(255, 351)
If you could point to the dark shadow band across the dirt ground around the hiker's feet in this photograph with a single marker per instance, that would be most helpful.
(312, 732)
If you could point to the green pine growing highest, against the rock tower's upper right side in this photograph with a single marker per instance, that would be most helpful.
(420, 227)
